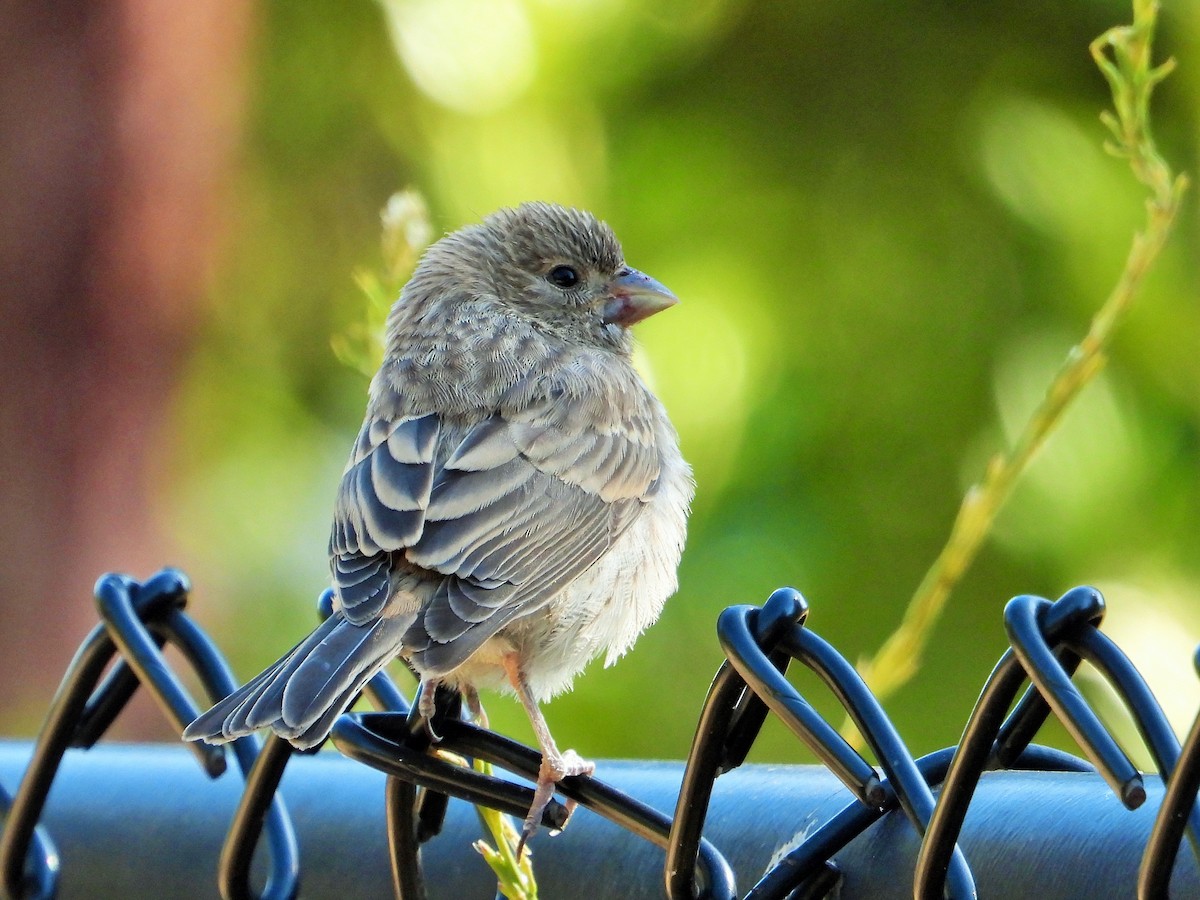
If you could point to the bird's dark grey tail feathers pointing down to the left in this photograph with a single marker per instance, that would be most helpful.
(303, 694)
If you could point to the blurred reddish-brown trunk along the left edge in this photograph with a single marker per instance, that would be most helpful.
(118, 124)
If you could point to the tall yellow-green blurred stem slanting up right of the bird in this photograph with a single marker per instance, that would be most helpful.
(1124, 56)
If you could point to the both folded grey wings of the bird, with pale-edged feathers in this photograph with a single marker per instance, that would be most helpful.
(523, 506)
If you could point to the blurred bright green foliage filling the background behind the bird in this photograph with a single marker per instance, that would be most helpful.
(887, 224)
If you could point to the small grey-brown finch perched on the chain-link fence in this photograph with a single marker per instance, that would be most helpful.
(517, 501)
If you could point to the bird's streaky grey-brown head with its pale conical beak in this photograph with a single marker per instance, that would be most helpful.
(562, 269)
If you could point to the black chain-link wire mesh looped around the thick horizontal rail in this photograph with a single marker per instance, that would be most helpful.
(1049, 641)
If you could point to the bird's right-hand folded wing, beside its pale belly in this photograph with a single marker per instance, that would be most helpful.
(526, 503)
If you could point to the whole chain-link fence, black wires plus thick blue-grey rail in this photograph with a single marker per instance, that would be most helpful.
(140, 823)
